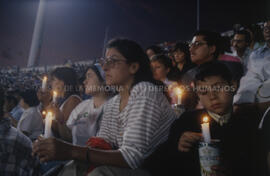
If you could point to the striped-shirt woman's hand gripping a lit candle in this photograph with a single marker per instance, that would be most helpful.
(51, 149)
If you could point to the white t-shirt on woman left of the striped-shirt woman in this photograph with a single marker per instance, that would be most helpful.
(84, 122)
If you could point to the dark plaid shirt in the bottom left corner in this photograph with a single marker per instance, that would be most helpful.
(15, 152)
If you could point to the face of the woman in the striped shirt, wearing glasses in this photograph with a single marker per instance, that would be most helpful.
(118, 72)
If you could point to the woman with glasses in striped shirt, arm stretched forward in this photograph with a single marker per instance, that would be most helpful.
(134, 122)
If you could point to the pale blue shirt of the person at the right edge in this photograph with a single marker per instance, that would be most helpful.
(258, 73)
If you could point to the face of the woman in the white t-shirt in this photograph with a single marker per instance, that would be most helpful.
(91, 83)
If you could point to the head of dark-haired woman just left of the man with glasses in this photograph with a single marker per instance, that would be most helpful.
(181, 57)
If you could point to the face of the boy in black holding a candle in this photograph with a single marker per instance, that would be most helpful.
(215, 94)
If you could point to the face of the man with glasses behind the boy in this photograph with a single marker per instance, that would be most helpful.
(200, 51)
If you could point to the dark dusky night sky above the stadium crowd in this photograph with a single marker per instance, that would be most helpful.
(74, 29)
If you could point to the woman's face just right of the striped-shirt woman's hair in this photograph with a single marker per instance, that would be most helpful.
(159, 70)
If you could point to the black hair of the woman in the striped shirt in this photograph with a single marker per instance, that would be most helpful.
(133, 53)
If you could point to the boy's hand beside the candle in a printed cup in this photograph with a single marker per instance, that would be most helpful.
(187, 141)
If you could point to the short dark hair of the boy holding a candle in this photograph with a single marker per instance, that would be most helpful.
(213, 68)
